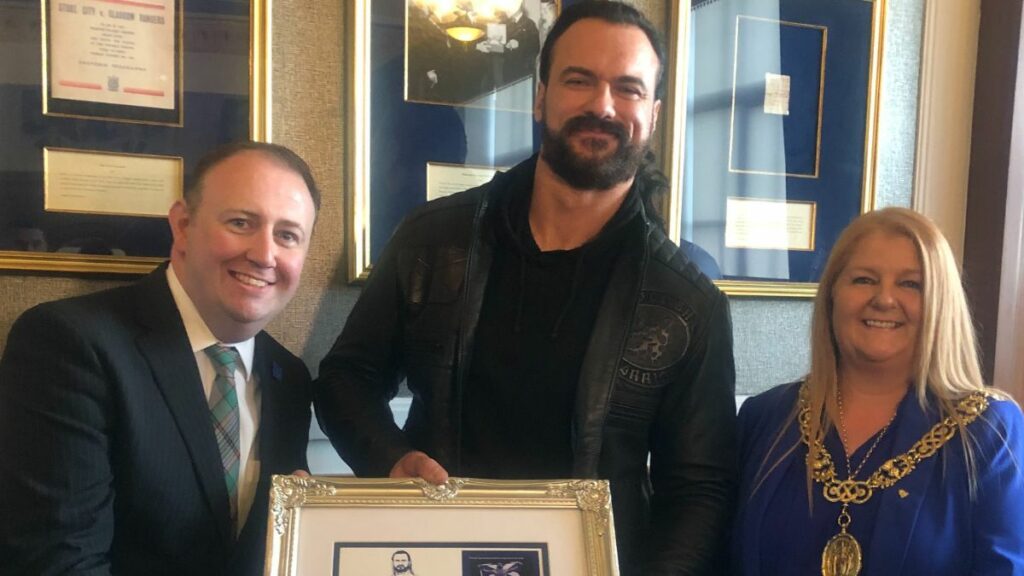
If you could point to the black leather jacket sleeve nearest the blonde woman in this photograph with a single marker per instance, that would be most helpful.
(694, 458)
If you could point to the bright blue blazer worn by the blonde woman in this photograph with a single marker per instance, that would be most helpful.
(935, 528)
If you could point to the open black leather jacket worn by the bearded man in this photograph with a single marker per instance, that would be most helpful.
(657, 378)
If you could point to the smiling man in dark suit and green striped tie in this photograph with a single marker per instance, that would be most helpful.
(140, 426)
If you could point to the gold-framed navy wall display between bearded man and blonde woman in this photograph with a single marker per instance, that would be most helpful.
(780, 144)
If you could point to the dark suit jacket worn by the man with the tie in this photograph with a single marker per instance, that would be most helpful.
(108, 459)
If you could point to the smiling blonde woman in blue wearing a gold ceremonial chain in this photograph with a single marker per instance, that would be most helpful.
(891, 457)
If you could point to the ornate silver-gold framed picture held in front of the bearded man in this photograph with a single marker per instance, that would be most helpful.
(347, 527)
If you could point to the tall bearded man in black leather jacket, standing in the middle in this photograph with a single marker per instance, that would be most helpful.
(546, 326)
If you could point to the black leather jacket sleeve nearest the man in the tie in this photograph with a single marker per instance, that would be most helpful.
(362, 374)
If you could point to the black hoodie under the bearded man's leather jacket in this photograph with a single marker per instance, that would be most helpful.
(535, 325)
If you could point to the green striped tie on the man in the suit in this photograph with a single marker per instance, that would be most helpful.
(225, 416)
